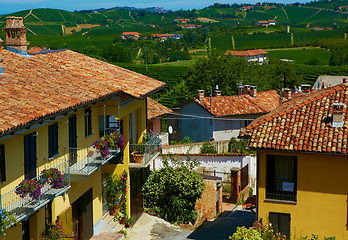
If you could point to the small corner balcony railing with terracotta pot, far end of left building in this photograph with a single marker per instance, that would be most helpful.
(143, 153)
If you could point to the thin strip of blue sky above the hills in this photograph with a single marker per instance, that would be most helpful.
(10, 6)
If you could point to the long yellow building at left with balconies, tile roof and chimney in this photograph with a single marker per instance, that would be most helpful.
(53, 106)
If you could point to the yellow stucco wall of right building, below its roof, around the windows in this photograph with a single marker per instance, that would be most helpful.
(322, 190)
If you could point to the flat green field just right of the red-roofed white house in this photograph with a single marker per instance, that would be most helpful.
(300, 55)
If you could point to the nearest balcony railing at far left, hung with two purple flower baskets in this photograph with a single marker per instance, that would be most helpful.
(23, 207)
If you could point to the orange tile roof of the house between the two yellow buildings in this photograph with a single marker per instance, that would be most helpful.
(264, 102)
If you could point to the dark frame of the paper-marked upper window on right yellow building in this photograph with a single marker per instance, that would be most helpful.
(271, 192)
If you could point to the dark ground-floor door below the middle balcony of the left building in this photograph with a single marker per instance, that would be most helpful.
(82, 215)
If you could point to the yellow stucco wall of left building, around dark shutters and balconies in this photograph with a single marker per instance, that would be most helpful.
(14, 156)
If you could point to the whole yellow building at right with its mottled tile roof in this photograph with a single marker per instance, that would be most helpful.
(302, 164)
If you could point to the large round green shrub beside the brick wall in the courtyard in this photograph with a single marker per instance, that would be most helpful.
(174, 190)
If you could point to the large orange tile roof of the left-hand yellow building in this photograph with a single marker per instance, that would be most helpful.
(42, 85)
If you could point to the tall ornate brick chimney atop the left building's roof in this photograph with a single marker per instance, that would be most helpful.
(16, 38)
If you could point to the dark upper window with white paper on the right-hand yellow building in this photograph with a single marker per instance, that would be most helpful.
(281, 177)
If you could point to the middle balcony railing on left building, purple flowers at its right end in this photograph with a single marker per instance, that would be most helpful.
(84, 161)
